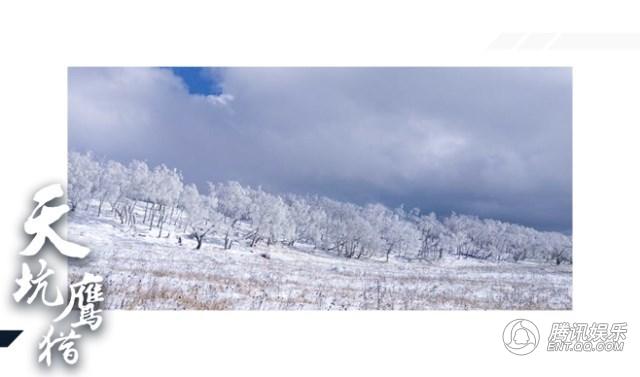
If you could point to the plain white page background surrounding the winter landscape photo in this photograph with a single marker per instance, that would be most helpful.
(40, 40)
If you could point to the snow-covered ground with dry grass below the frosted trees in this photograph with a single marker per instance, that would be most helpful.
(143, 271)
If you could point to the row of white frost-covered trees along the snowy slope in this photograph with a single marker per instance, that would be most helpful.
(154, 197)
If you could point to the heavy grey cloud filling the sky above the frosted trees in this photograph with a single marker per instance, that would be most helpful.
(495, 142)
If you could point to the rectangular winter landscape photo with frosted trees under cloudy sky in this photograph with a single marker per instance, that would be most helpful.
(322, 188)
